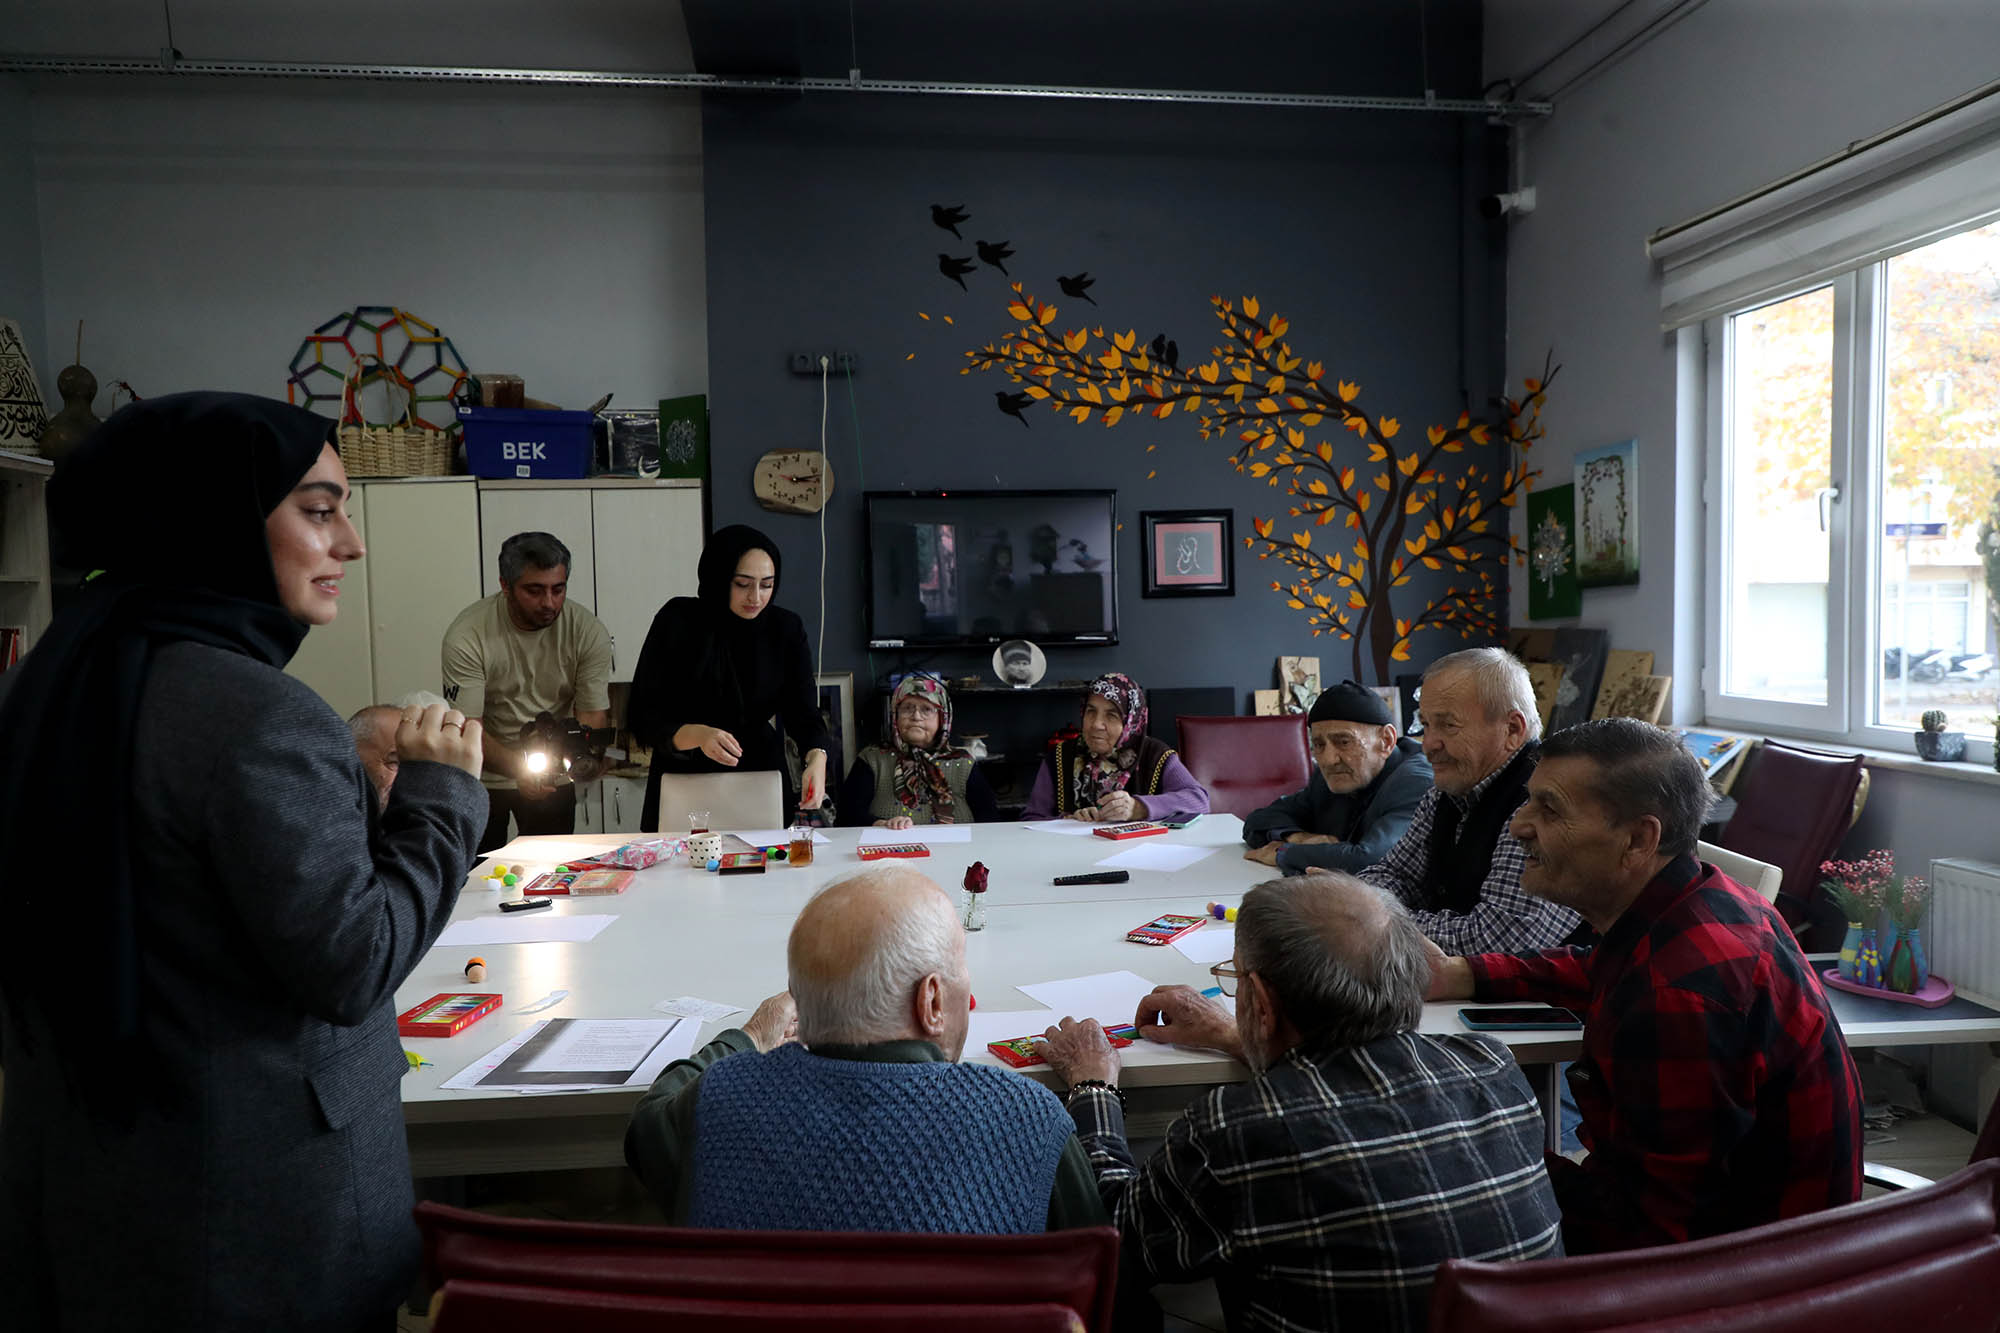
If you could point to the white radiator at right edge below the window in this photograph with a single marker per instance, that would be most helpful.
(1963, 938)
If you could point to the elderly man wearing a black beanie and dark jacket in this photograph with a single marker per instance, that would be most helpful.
(1365, 790)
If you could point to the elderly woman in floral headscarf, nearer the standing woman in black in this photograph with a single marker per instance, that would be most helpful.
(917, 776)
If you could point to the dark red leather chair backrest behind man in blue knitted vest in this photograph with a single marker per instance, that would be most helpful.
(1075, 1270)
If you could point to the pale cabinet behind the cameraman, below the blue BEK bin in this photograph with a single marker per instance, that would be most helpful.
(633, 545)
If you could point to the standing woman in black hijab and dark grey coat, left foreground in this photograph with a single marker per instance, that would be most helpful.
(201, 1122)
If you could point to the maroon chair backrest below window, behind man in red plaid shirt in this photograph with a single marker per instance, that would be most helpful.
(1793, 810)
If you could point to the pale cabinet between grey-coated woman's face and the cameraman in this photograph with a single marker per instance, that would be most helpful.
(399, 599)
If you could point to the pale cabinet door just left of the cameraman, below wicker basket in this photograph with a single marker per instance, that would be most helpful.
(423, 555)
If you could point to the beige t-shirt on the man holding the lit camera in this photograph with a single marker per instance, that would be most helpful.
(505, 676)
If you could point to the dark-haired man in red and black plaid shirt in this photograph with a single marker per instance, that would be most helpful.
(1715, 1088)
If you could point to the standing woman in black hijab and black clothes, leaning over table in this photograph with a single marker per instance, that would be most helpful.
(719, 665)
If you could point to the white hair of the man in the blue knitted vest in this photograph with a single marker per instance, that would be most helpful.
(871, 1000)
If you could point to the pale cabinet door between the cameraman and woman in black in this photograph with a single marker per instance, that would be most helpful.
(649, 539)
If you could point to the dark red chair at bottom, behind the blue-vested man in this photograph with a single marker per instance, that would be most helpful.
(511, 1272)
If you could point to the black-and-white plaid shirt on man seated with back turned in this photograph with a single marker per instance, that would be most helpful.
(1325, 1192)
